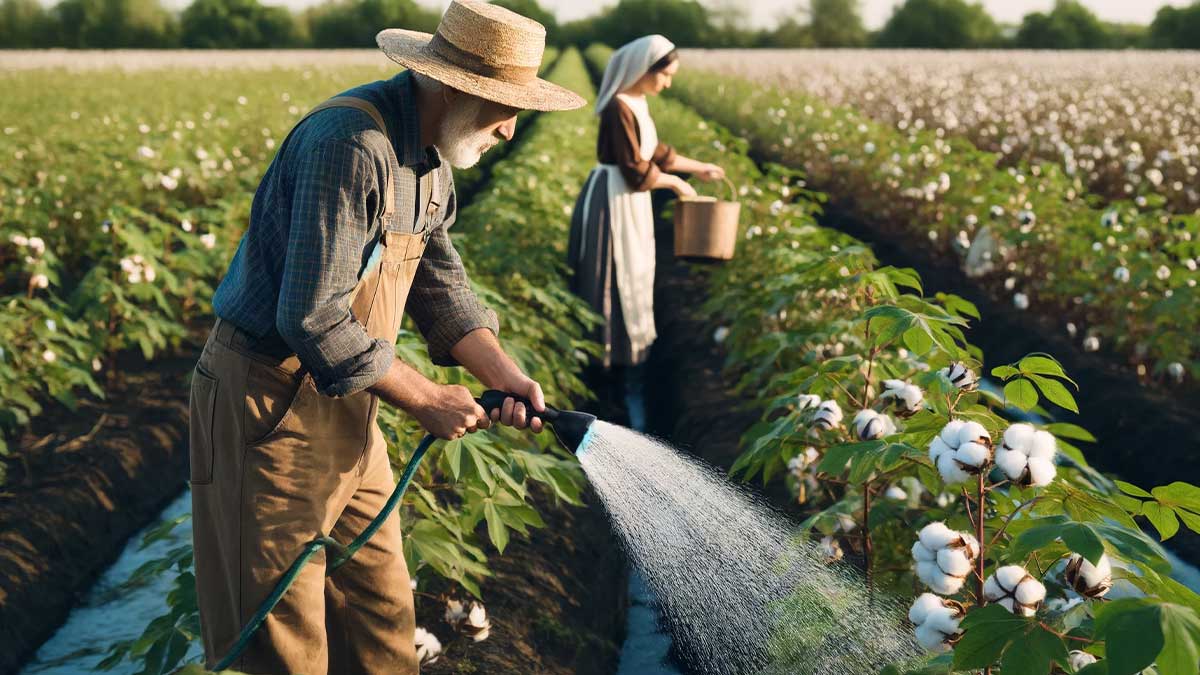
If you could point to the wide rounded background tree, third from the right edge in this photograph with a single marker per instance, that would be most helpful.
(940, 25)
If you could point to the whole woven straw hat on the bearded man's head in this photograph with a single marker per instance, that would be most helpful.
(485, 51)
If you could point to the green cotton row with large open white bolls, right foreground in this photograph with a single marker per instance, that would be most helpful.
(873, 417)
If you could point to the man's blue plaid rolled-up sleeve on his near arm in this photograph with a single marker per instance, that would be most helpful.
(334, 205)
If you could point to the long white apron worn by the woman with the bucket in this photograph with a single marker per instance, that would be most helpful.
(632, 218)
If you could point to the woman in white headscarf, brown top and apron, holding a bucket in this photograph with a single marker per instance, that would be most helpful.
(613, 229)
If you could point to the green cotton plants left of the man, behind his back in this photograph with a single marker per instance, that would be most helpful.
(121, 206)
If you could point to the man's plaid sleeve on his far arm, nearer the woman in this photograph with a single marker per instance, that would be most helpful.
(441, 303)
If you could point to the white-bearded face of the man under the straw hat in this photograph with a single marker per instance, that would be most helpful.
(473, 127)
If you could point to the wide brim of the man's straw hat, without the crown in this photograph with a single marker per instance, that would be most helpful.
(410, 50)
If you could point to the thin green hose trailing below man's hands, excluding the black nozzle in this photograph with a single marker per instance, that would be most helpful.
(325, 542)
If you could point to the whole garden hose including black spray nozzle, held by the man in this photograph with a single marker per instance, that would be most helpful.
(571, 428)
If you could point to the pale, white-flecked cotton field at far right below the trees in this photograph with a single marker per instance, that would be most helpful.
(1120, 124)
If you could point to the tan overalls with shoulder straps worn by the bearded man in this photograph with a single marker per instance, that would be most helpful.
(274, 464)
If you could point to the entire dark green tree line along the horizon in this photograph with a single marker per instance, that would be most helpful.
(939, 25)
